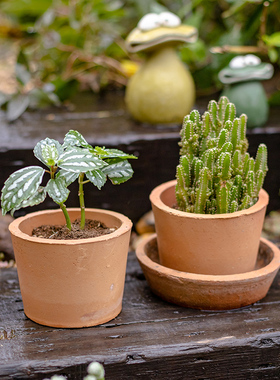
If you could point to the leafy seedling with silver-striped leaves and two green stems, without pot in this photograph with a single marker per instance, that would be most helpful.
(74, 160)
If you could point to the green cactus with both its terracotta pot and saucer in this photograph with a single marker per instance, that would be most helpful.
(209, 220)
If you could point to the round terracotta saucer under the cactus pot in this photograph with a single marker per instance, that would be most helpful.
(207, 292)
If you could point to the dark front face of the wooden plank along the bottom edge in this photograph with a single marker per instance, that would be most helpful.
(250, 360)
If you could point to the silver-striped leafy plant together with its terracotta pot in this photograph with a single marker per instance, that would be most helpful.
(67, 281)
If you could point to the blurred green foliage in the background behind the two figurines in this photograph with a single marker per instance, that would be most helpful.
(65, 46)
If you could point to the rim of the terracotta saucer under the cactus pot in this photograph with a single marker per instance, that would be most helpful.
(204, 278)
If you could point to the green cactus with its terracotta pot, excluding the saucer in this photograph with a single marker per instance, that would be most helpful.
(217, 197)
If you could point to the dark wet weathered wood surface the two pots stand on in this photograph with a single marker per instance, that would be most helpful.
(150, 339)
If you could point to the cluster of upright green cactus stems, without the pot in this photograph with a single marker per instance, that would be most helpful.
(216, 174)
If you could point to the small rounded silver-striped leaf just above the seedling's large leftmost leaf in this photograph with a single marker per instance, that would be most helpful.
(48, 151)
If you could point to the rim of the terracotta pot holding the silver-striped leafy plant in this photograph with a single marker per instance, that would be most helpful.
(15, 229)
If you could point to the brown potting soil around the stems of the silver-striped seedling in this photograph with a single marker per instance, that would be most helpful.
(93, 228)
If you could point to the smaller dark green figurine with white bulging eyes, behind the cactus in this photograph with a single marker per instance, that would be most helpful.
(243, 87)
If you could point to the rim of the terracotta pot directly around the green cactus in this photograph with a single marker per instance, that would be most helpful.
(155, 198)
